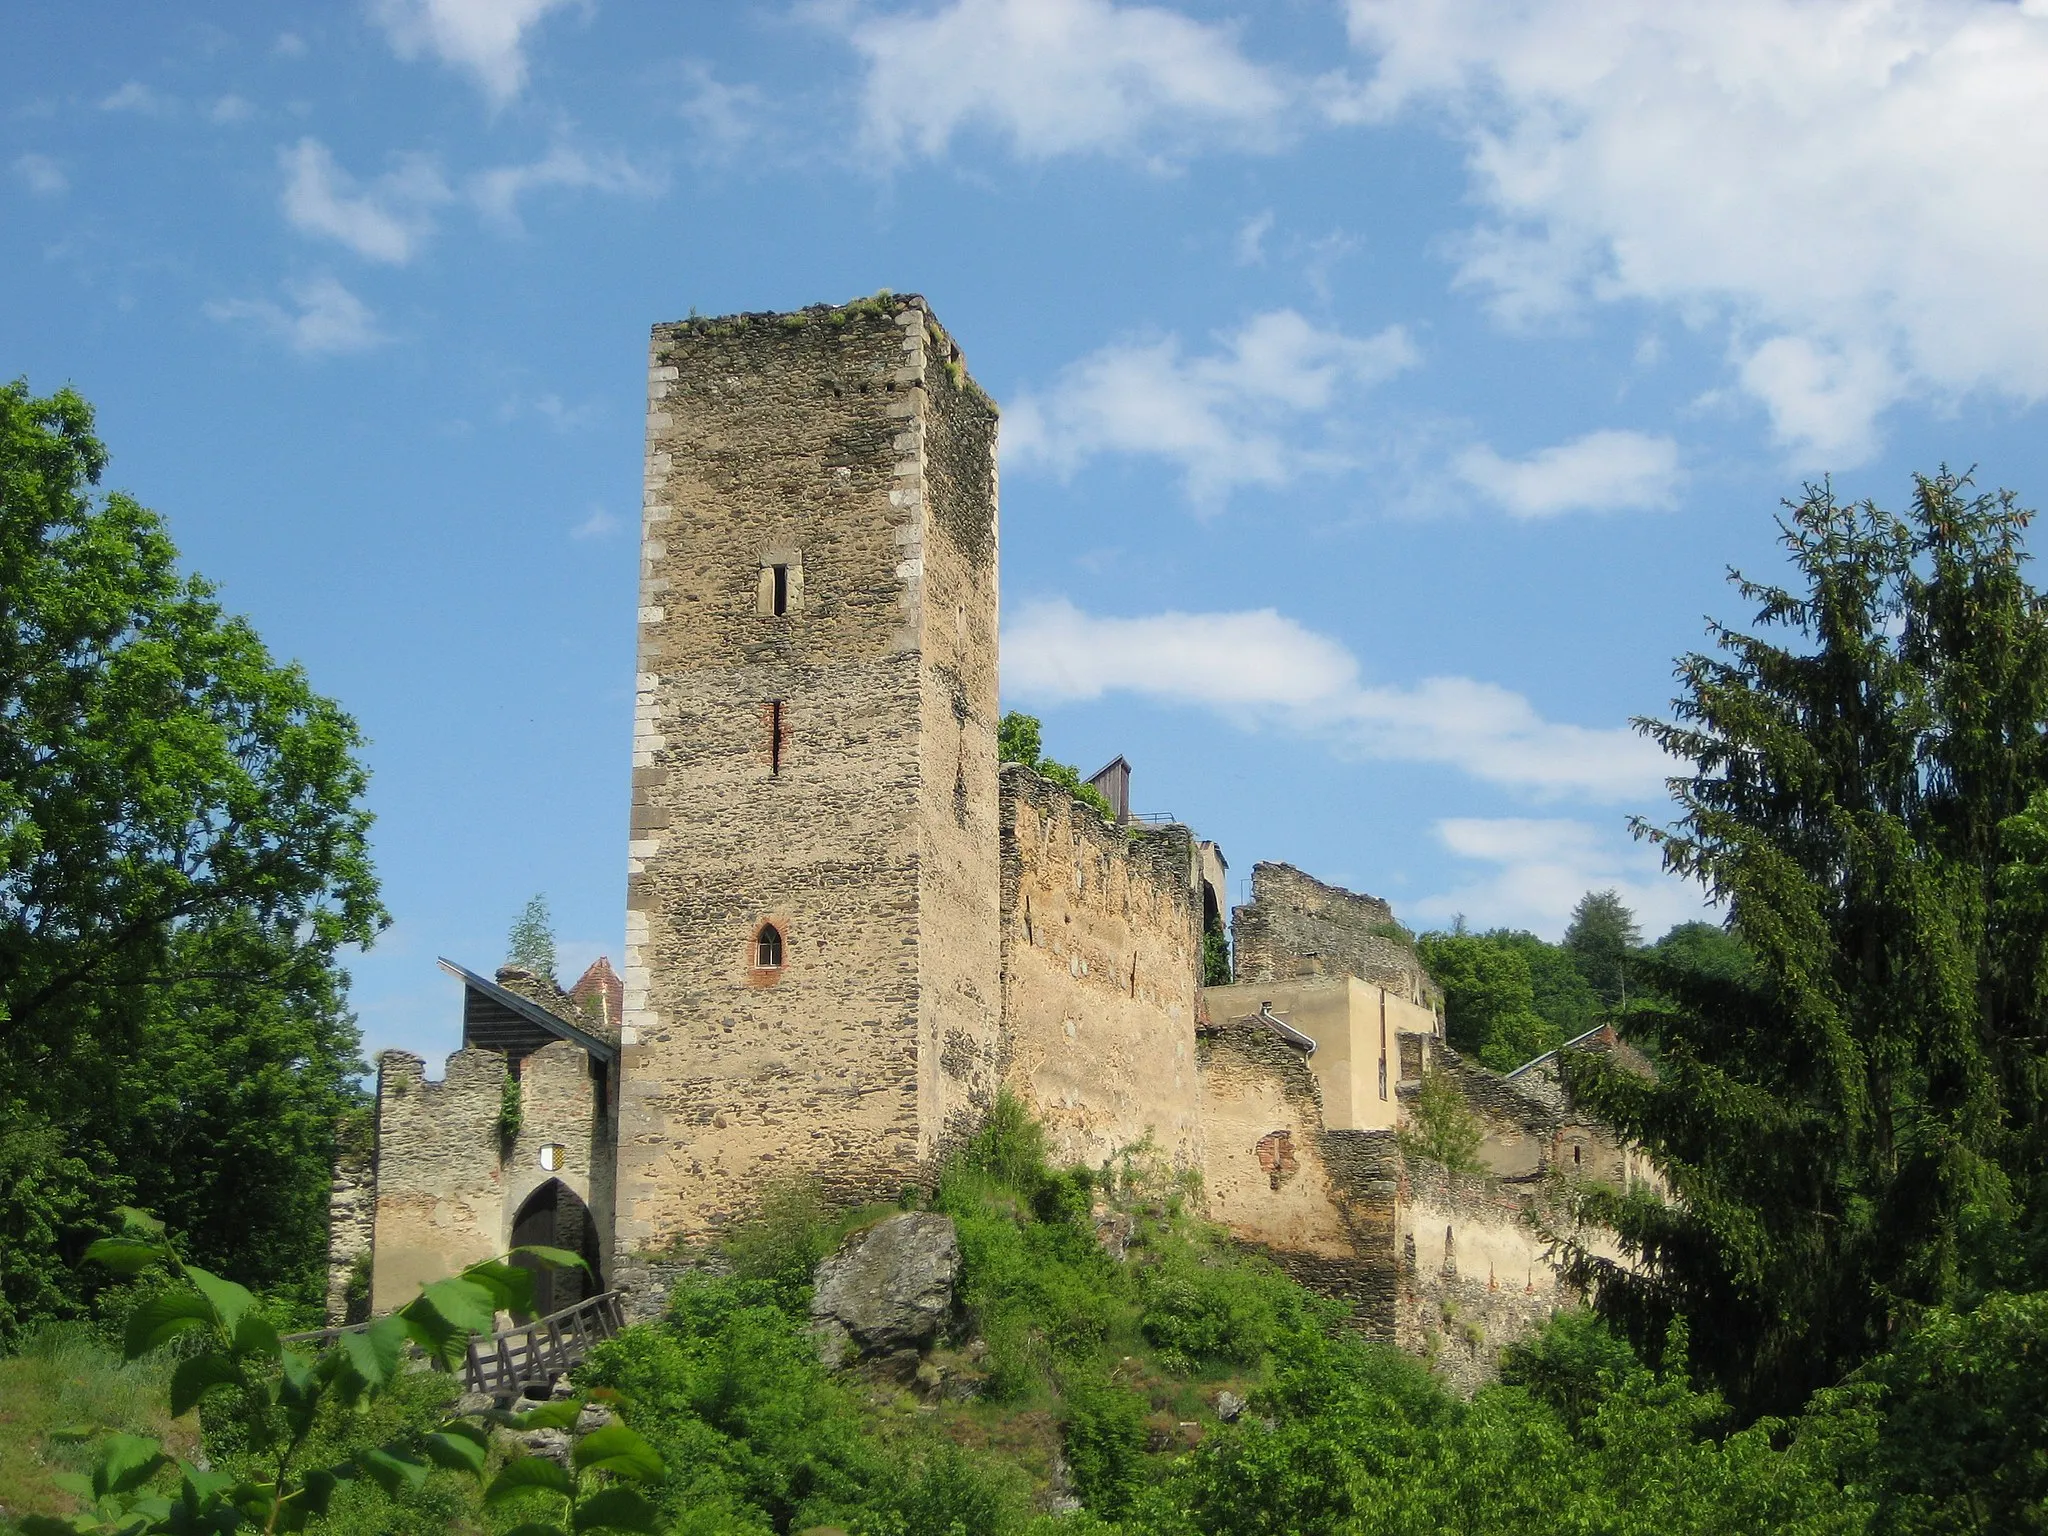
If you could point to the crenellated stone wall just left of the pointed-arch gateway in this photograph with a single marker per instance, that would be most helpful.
(439, 1189)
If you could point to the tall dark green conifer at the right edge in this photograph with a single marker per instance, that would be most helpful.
(1852, 1127)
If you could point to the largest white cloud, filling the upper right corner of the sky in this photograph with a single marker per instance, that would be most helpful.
(1840, 187)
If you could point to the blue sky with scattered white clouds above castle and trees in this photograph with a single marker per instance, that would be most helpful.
(1388, 384)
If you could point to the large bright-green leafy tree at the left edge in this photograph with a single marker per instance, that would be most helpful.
(183, 853)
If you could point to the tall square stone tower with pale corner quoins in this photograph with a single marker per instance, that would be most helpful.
(812, 914)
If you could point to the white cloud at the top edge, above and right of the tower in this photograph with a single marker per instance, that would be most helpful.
(1060, 77)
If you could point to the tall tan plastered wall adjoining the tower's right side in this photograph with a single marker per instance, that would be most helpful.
(1101, 962)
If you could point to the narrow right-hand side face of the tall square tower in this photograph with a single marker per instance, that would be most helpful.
(959, 923)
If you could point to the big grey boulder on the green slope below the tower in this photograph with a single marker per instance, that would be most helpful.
(888, 1289)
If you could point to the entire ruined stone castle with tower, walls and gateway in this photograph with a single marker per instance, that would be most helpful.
(849, 927)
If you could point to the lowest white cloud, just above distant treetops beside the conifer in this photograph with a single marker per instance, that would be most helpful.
(1541, 869)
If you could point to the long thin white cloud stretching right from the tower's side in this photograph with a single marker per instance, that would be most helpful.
(1263, 669)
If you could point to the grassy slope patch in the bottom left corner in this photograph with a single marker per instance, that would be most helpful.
(58, 1394)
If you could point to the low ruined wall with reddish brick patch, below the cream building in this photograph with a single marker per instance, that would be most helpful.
(1320, 1203)
